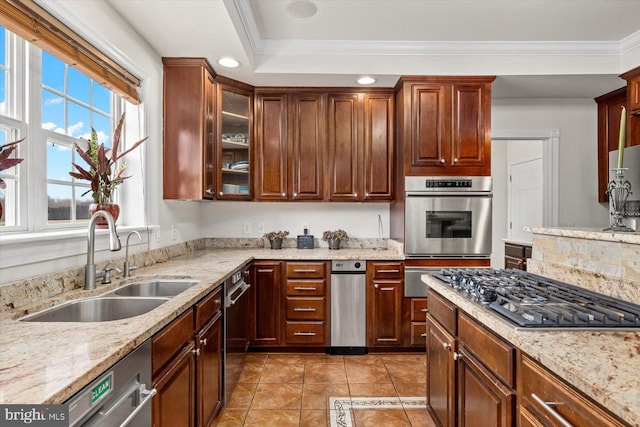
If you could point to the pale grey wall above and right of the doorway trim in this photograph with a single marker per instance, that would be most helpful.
(577, 120)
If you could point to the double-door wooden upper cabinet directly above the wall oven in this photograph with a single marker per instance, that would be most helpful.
(444, 125)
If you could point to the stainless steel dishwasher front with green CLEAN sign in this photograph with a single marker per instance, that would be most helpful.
(119, 397)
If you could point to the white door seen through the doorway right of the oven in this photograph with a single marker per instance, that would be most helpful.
(525, 197)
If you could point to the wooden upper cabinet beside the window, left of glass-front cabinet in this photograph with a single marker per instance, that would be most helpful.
(189, 129)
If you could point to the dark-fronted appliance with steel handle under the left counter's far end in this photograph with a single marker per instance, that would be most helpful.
(236, 330)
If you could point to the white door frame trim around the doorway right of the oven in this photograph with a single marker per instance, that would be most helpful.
(550, 169)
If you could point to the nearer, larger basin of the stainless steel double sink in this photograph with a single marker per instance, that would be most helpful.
(97, 310)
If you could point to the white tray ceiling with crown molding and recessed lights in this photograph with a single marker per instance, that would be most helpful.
(537, 48)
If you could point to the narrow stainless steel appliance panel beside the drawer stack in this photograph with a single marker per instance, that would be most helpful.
(348, 307)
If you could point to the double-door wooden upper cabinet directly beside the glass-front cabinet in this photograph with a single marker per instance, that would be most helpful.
(290, 145)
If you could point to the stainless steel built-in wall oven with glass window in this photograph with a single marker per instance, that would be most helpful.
(448, 217)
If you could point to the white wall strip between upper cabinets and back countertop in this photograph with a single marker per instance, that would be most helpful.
(226, 219)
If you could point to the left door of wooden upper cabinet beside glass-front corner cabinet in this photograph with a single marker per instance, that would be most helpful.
(272, 147)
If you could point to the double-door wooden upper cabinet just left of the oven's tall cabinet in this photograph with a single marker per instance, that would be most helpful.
(360, 146)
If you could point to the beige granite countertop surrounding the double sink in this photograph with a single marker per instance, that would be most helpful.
(50, 362)
